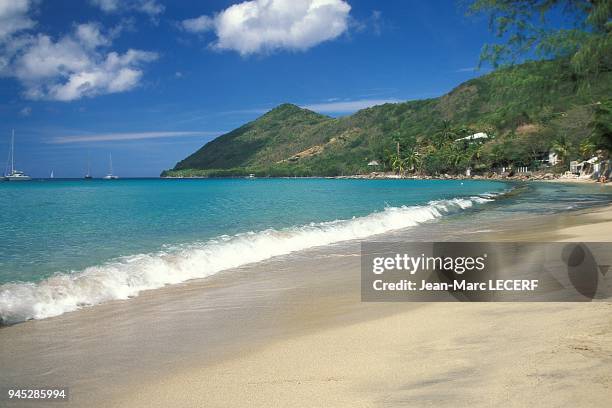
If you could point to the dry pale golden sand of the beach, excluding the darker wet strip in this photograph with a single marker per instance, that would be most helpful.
(445, 354)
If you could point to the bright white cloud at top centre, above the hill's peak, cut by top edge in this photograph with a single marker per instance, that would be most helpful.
(260, 26)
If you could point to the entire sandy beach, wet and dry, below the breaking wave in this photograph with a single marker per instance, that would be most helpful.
(292, 331)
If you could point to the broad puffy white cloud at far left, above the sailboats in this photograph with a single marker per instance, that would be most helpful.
(77, 65)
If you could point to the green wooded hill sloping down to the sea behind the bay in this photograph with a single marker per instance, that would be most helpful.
(526, 110)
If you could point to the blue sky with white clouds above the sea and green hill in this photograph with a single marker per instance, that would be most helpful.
(151, 81)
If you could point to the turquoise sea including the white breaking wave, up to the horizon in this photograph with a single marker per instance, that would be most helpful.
(65, 244)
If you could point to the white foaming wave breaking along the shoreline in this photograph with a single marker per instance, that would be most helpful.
(126, 277)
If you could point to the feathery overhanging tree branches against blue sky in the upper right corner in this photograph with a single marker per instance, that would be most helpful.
(523, 25)
